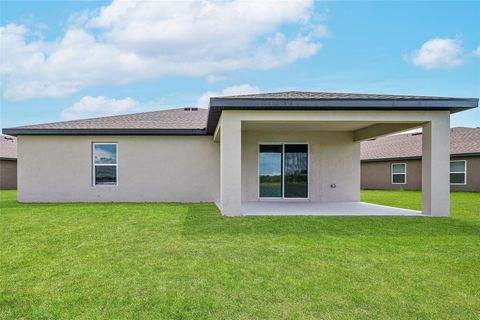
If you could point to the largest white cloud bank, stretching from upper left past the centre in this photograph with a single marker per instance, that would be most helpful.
(128, 41)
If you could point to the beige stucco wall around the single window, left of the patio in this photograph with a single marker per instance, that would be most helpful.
(151, 168)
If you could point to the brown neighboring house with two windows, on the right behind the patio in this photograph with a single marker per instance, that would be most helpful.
(395, 162)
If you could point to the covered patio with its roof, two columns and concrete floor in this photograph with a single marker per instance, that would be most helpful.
(300, 154)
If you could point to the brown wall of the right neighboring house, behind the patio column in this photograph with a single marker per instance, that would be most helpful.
(376, 175)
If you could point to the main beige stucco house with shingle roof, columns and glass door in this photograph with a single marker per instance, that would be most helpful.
(281, 147)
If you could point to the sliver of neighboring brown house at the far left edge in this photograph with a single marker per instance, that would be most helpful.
(8, 163)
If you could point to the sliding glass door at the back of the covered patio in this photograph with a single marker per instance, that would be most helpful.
(283, 171)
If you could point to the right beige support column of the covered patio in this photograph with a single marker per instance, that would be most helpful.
(436, 167)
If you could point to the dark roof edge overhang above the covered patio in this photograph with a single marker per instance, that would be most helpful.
(217, 105)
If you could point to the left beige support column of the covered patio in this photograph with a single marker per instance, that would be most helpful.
(230, 165)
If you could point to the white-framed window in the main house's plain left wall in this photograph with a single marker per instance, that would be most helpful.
(105, 164)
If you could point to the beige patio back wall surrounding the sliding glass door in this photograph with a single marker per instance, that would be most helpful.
(334, 159)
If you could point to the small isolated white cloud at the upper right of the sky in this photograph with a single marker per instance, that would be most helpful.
(439, 53)
